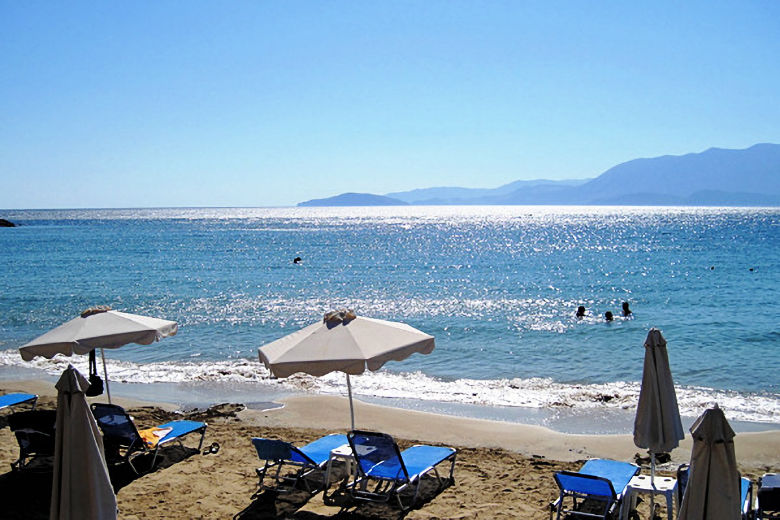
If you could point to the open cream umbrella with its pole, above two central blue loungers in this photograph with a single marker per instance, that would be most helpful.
(346, 343)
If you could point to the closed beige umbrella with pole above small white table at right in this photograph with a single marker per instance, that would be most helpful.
(657, 426)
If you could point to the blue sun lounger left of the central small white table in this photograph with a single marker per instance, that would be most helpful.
(306, 460)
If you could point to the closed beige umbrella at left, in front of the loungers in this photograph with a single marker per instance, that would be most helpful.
(81, 487)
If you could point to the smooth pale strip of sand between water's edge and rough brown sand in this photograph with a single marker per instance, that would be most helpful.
(754, 449)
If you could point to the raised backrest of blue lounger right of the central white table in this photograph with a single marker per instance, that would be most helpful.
(377, 454)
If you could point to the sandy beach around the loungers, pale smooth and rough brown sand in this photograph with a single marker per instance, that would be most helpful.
(503, 470)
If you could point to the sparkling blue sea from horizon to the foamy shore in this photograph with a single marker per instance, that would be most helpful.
(497, 286)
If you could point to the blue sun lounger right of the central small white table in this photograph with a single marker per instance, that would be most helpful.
(379, 461)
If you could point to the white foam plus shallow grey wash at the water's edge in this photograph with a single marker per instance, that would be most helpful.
(595, 408)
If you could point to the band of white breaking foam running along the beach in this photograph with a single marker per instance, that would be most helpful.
(528, 393)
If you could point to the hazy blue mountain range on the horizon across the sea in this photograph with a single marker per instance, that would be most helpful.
(715, 177)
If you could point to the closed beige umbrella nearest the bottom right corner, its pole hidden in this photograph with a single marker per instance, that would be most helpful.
(713, 490)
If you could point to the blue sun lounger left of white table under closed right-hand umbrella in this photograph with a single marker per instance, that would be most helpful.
(599, 481)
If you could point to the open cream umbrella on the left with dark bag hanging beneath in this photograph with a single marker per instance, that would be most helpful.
(98, 328)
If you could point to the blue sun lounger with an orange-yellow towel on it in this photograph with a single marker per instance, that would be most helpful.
(122, 440)
